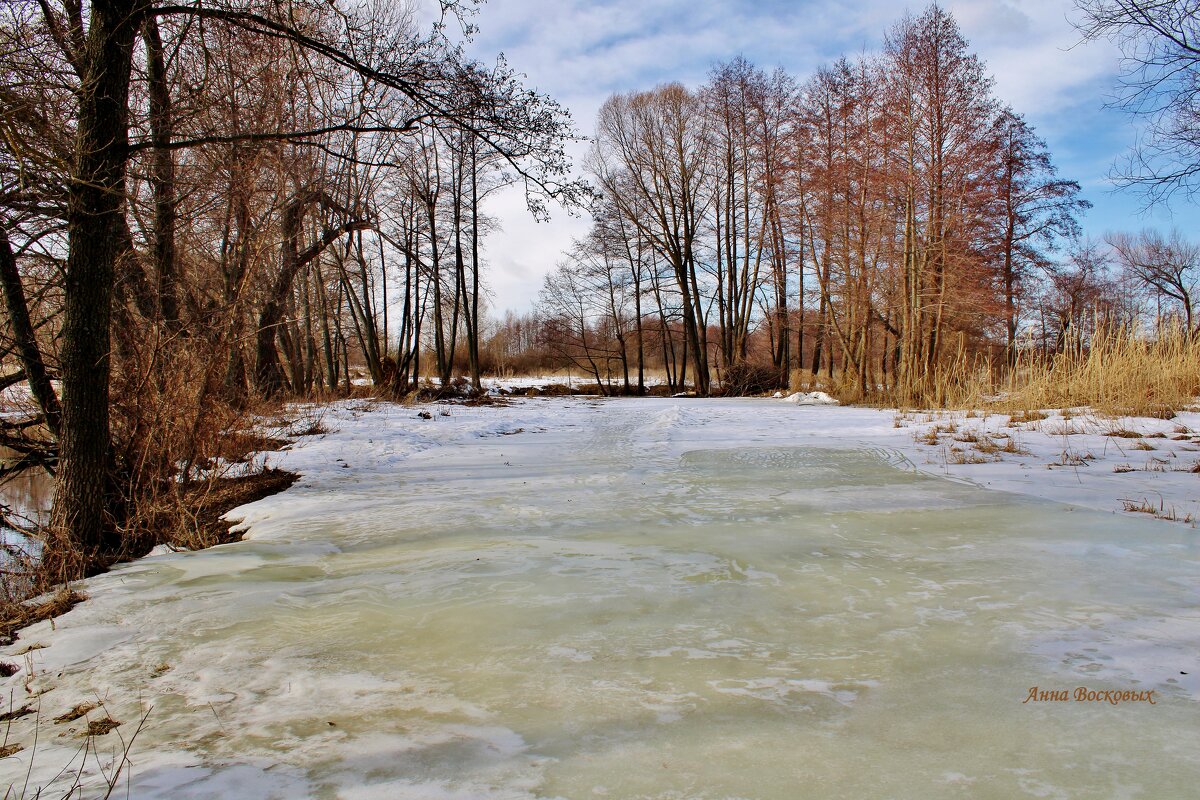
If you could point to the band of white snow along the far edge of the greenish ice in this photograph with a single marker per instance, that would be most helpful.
(1079, 459)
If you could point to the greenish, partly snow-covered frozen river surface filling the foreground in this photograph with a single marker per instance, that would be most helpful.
(637, 599)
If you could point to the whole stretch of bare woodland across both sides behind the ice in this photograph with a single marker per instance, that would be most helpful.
(208, 208)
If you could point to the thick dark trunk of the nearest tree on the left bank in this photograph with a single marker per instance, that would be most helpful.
(82, 534)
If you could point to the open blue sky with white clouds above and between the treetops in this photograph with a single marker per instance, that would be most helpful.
(580, 52)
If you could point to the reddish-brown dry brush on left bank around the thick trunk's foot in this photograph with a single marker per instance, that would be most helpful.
(182, 455)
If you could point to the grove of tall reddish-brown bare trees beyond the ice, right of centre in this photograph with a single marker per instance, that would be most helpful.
(885, 228)
